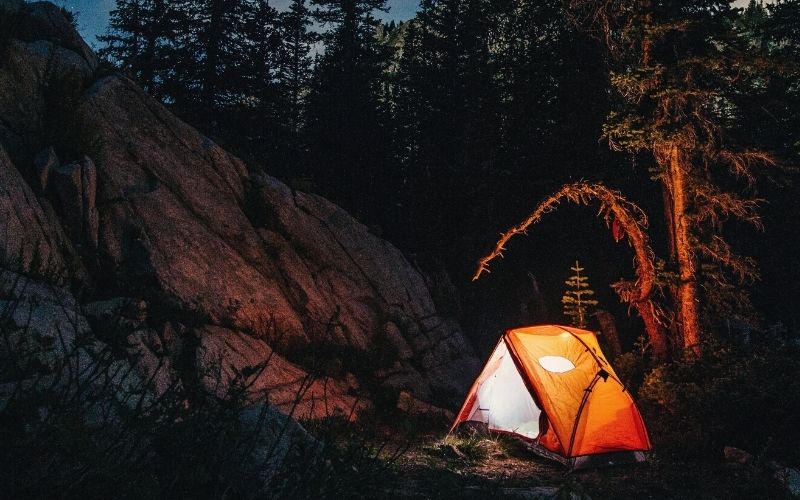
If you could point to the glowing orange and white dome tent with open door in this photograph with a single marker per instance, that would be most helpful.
(552, 386)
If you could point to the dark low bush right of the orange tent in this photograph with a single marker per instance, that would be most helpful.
(745, 397)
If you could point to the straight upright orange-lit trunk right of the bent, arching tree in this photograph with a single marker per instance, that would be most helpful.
(688, 317)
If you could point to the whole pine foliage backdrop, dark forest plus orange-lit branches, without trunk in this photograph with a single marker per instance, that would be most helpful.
(434, 132)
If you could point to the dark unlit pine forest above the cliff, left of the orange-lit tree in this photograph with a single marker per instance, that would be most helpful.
(451, 107)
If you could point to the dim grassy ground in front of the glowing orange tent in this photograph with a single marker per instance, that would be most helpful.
(437, 465)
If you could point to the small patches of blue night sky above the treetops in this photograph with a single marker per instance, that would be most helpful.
(93, 14)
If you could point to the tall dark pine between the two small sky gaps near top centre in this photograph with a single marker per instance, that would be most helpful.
(347, 119)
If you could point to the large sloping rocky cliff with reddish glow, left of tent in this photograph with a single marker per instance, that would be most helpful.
(149, 232)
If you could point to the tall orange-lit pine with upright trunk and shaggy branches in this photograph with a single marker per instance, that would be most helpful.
(679, 71)
